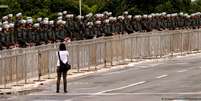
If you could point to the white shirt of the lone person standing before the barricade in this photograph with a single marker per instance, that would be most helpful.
(63, 56)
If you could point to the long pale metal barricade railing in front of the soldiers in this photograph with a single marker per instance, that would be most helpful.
(22, 64)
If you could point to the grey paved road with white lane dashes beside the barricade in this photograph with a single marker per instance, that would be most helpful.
(176, 79)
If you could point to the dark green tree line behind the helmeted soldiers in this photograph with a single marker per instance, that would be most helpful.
(49, 8)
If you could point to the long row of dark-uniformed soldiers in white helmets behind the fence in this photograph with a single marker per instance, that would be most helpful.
(28, 32)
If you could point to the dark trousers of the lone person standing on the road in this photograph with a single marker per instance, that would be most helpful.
(59, 73)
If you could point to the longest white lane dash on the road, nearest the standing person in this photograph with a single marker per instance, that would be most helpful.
(120, 88)
